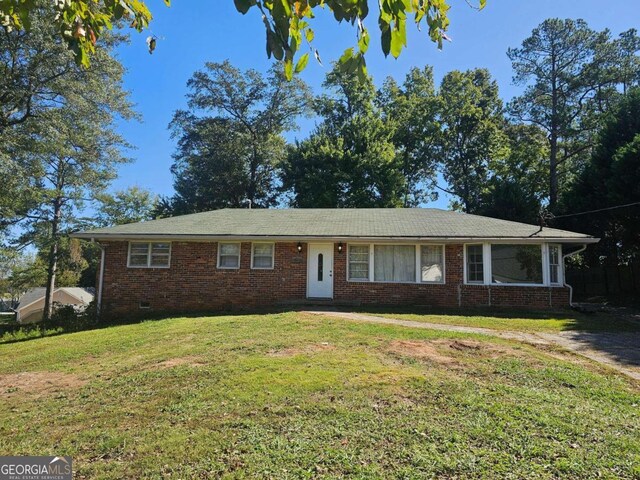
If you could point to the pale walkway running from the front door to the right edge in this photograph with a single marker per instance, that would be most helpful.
(618, 350)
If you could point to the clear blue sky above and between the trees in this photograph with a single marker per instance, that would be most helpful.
(192, 32)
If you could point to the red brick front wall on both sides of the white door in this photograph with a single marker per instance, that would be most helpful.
(193, 283)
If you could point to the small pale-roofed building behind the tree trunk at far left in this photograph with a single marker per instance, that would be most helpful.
(30, 308)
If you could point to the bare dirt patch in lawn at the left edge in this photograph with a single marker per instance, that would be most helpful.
(38, 383)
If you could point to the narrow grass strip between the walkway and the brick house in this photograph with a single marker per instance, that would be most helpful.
(513, 320)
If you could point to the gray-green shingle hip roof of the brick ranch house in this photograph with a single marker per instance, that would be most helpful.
(409, 223)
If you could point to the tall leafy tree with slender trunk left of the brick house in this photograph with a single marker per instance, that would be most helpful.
(68, 153)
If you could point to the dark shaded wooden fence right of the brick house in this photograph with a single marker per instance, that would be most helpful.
(605, 280)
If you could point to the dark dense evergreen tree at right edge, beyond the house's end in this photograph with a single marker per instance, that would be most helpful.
(610, 179)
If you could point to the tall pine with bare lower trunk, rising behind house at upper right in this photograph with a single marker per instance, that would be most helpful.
(570, 74)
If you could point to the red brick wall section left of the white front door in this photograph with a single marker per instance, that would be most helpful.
(194, 283)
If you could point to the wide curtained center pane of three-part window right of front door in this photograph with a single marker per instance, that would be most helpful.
(394, 263)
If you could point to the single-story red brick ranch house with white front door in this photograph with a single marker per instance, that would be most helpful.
(246, 258)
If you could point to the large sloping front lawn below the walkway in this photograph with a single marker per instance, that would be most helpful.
(299, 396)
